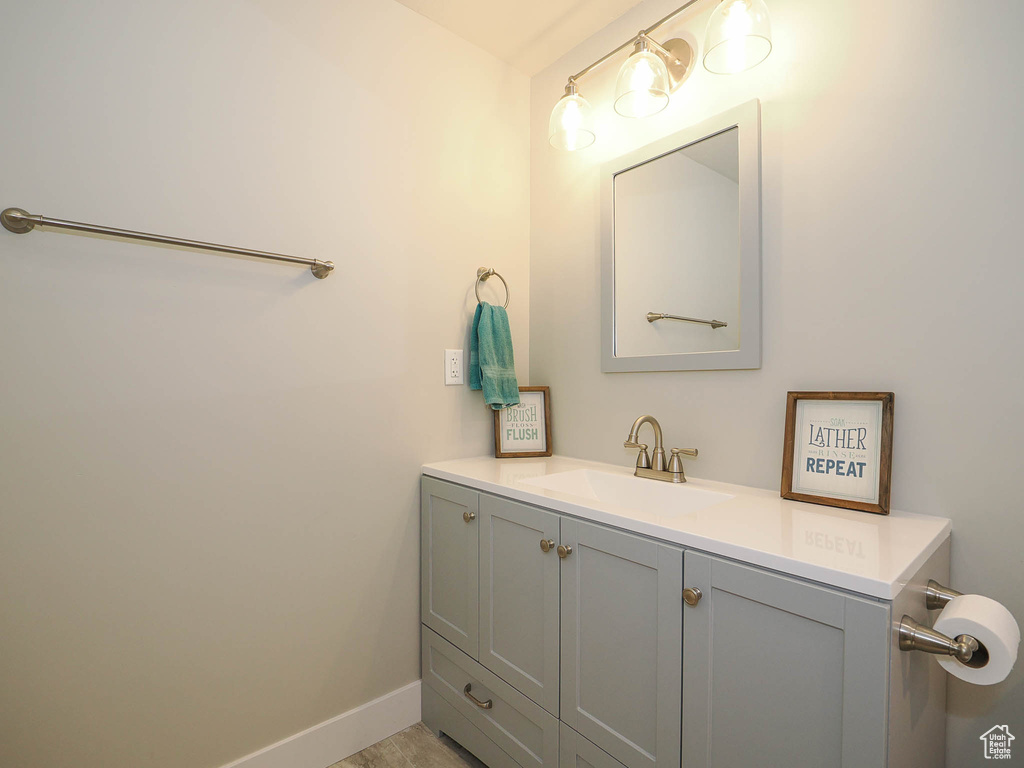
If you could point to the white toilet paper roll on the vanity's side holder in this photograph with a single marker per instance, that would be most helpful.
(993, 626)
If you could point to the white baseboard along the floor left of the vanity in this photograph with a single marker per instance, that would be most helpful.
(342, 737)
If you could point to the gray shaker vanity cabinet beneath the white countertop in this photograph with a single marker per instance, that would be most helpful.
(549, 641)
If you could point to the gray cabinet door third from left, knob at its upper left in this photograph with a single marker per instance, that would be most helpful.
(622, 644)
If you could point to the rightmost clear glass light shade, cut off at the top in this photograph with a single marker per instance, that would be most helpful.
(739, 37)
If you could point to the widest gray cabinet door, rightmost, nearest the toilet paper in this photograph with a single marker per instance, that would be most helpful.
(781, 672)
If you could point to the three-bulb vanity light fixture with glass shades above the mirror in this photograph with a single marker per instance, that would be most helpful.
(738, 39)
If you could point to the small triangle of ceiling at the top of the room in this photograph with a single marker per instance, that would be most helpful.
(528, 34)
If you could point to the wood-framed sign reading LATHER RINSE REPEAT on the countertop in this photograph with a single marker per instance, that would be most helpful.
(839, 450)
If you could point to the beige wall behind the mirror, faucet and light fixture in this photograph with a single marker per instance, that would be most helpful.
(892, 170)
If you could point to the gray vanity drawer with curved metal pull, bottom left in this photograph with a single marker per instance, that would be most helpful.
(523, 730)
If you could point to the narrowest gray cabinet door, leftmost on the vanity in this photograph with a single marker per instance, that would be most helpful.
(449, 583)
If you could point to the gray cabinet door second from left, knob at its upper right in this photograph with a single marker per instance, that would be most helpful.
(520, 598)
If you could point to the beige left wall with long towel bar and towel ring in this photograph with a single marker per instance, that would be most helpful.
(208, 465)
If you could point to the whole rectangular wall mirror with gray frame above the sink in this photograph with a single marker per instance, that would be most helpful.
(681, 250)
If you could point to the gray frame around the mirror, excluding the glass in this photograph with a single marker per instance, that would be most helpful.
(747, 118)
